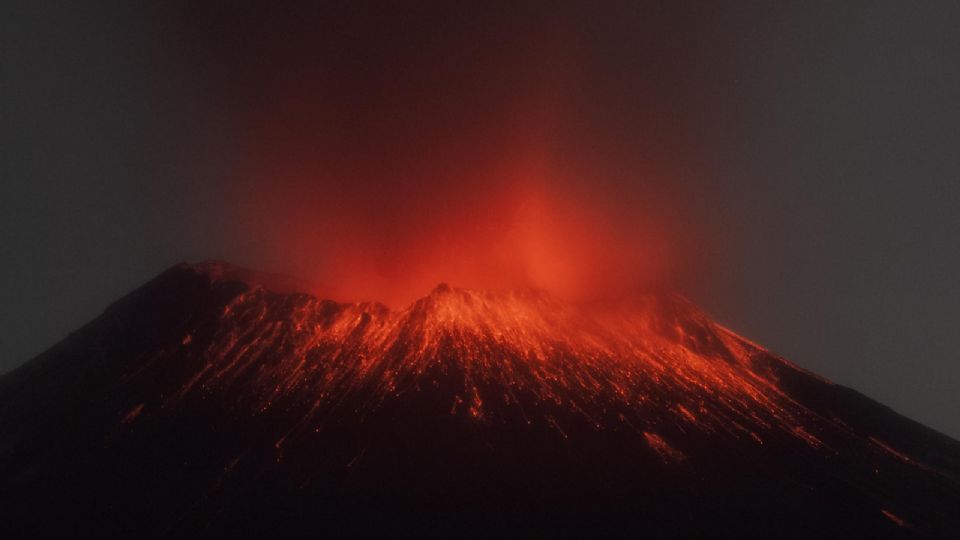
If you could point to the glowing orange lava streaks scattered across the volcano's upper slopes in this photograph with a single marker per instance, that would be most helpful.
(499, 351)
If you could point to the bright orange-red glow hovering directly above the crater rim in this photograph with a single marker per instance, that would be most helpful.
(514, 228)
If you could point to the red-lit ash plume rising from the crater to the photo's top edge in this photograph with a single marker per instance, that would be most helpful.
(382, 151)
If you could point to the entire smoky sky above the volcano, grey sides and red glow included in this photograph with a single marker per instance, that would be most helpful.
(793, 168)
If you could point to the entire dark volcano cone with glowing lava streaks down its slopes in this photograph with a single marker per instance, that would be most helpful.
(218, 402)
